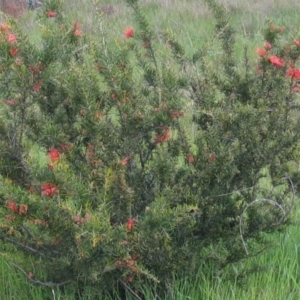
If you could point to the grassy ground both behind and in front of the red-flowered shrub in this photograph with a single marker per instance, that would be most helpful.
(278, 274)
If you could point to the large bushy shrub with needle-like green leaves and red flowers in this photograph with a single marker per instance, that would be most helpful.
(119, 193)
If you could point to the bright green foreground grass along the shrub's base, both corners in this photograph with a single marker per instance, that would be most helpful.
(277, 278)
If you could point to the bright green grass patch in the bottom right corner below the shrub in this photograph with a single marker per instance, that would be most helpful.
(277, 279)
